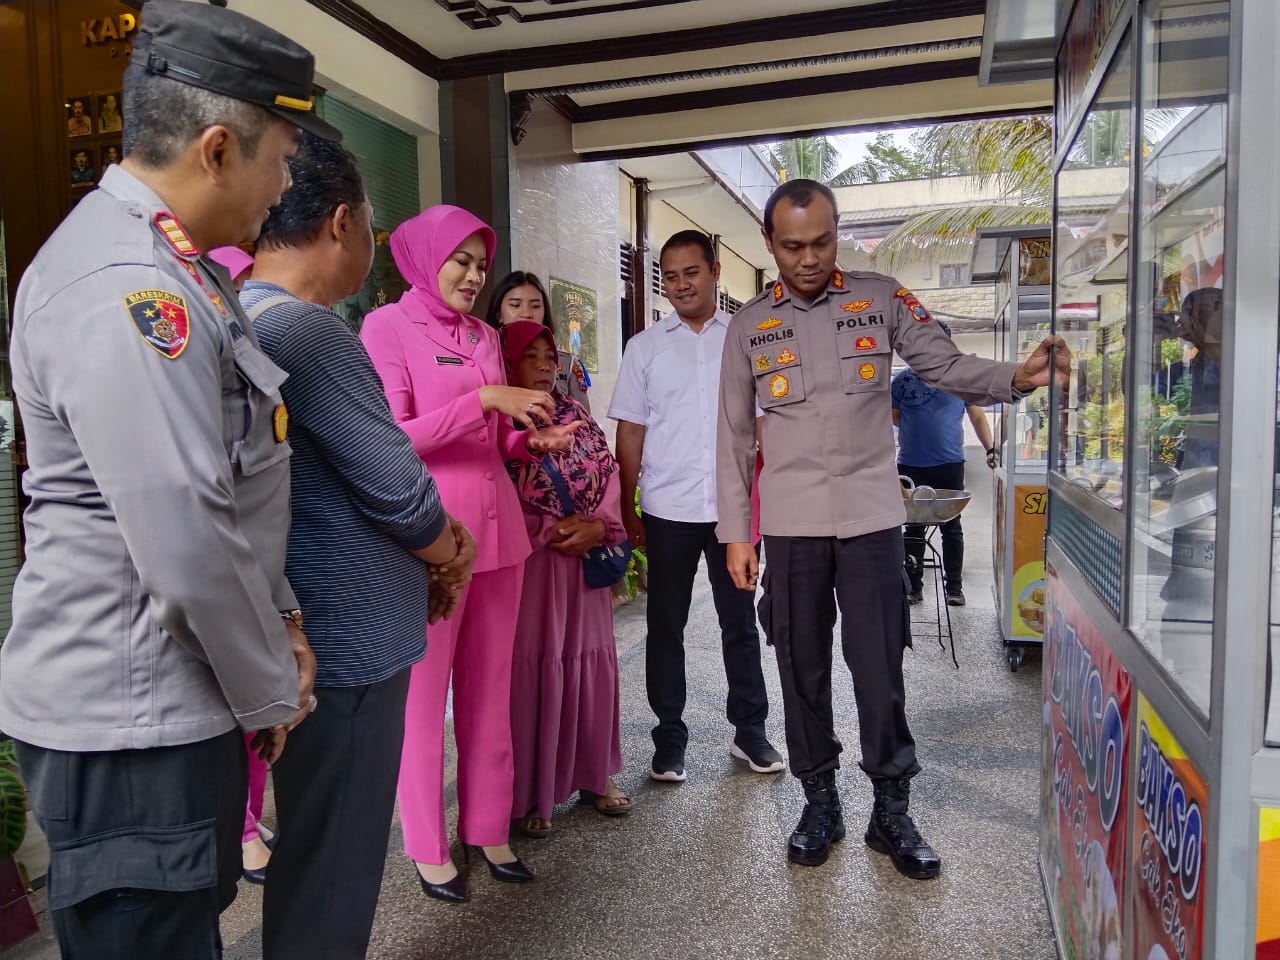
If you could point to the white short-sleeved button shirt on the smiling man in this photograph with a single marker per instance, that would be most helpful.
(670, 385)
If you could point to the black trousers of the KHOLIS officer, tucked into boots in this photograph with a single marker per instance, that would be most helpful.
(804, 577)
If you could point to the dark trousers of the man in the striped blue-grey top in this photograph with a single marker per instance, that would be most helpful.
(335, 796)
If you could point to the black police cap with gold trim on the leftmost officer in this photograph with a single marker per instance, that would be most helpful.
(231, 54)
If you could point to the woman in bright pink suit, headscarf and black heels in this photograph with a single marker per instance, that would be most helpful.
(445, 380)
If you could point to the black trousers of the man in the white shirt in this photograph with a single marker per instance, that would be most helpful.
(674, 550)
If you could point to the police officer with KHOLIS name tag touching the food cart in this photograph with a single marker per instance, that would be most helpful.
(816, 353)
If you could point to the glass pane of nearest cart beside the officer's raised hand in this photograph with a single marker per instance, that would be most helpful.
(1091, 258)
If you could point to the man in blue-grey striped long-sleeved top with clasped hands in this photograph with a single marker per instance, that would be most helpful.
(368, 533)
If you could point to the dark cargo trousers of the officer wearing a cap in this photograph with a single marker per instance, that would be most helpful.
(144, 847)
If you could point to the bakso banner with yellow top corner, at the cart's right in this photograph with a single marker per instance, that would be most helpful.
(1171, 821)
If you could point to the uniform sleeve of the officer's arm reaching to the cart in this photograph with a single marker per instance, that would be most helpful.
(936, 359)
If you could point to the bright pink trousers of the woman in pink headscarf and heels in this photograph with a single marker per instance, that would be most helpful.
(476, 647)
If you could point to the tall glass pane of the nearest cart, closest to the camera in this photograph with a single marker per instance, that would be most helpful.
(1178, 336)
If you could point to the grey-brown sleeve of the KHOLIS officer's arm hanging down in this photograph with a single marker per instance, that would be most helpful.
(735, 442)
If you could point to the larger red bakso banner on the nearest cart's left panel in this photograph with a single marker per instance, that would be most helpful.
(1085, 799)
